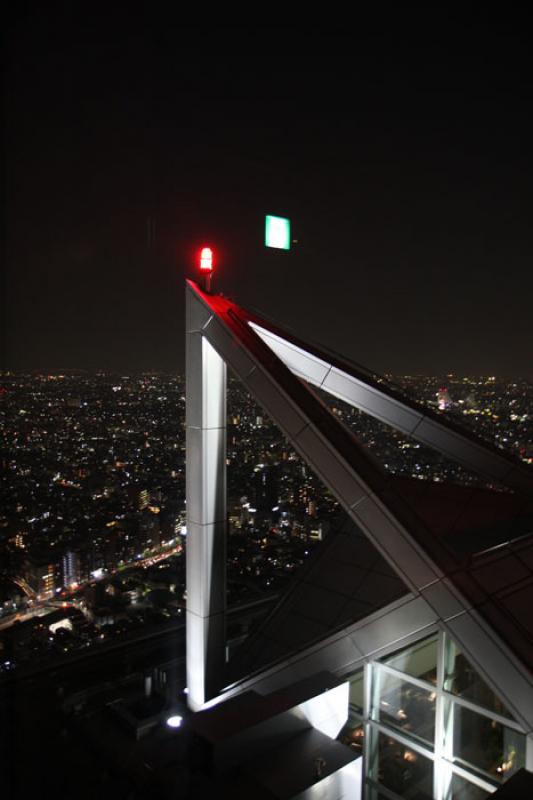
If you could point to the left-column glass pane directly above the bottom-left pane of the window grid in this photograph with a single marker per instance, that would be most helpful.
(402, 705)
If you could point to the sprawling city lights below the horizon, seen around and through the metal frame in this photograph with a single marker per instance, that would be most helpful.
(274, 515)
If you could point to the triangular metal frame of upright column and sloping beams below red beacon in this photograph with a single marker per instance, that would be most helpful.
(270, 364)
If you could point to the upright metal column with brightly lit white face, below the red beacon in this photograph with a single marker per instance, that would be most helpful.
(206, 508)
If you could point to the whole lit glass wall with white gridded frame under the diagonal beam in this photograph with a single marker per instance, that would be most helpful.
(430, 727)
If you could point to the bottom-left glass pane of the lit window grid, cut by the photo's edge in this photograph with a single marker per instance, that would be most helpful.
(401, 770)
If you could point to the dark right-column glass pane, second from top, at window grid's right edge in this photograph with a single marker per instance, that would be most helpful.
(486, 745)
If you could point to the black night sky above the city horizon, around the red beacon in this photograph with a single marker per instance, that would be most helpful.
(400, 146)
